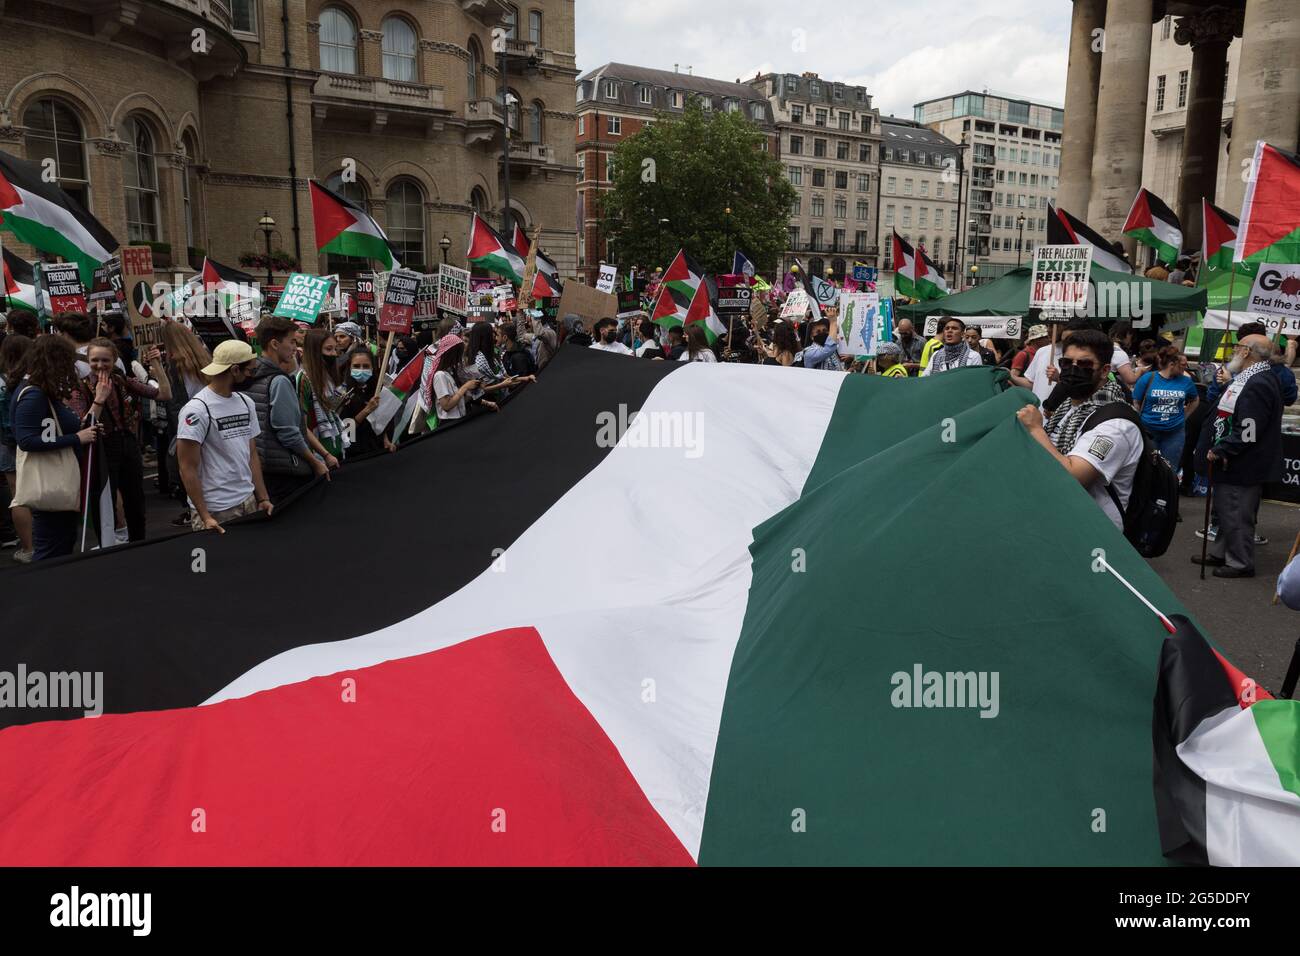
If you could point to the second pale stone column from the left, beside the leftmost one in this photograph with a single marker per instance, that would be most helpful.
(1121, 118)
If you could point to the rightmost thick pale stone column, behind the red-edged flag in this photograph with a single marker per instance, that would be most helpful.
(1268, 89)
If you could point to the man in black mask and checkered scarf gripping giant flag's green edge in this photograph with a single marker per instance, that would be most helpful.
(1103, 458)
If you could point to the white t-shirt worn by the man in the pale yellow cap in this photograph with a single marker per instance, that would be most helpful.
(223, 429)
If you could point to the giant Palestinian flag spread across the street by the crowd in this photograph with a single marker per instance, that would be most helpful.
(552, 685)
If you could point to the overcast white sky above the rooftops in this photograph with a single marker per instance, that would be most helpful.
(903, 51)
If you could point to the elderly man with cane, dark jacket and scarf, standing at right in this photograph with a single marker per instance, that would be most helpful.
(1241, 444)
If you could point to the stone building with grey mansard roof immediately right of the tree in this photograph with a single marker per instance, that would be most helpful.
(830, 142)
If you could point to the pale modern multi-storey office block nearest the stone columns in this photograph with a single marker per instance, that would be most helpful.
(1009, 166)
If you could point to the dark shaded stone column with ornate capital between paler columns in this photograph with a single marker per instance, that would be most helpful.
(1210, 32)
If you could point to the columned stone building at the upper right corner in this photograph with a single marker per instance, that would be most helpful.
(1173, 96)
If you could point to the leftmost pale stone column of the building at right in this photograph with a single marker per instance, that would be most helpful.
(1081, 105)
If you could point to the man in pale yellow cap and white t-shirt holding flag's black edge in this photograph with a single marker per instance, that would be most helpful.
(216, 444)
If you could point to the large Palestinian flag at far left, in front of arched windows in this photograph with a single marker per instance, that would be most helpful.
(44, 217)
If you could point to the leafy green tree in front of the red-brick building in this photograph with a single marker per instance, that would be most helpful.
(690, 170)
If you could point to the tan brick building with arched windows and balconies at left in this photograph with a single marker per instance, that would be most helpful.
(179, 123)
